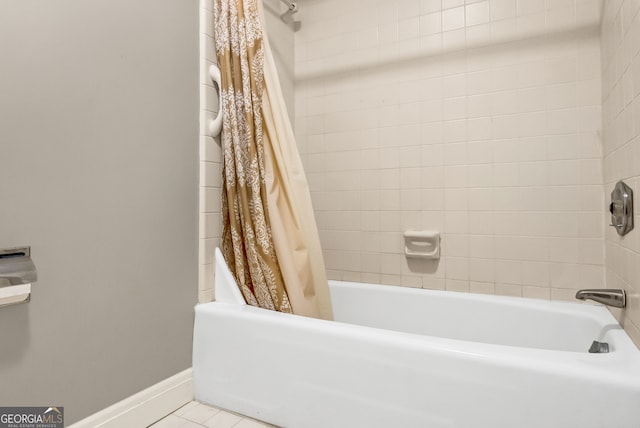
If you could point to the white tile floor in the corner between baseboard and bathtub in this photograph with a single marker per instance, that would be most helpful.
(198, 415)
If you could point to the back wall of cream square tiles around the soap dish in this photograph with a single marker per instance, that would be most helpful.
(479, 119)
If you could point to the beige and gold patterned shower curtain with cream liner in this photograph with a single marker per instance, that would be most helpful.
(270, 239)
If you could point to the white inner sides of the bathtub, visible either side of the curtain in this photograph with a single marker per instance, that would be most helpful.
(498, 320)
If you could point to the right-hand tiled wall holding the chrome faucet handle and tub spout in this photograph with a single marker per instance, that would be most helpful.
(620, 37)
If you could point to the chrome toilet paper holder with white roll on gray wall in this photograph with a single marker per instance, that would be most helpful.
(17, 272)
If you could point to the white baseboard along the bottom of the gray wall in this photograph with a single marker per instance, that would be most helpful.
(145, 407)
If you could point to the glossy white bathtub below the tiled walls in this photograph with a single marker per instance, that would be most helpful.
(398, 357)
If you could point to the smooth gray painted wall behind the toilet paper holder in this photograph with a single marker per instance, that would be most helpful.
(98, 173)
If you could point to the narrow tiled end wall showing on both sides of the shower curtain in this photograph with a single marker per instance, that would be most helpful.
(281, 39)
